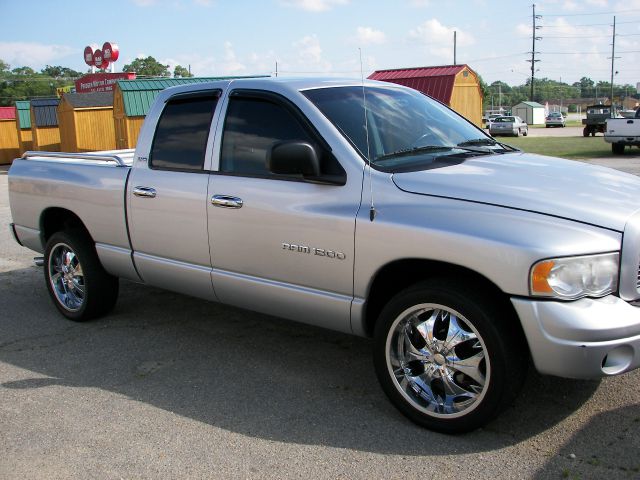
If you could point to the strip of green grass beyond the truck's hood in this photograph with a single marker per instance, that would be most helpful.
(573, 148)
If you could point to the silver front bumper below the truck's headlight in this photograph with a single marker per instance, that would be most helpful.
(587, 338)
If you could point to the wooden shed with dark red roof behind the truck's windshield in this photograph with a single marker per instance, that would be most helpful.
(454, 85)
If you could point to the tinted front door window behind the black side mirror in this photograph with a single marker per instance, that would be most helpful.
(252, 126)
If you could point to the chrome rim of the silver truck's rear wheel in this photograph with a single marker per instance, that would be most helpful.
(66, 277)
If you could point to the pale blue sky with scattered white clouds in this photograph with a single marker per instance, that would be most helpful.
(328, 37)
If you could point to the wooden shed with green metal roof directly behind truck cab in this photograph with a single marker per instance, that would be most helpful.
(132, 99)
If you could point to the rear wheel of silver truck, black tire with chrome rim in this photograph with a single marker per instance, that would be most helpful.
(78, 285)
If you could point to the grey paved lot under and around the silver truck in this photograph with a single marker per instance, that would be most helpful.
(168, 386)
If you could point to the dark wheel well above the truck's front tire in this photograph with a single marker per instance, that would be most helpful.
(401, 274)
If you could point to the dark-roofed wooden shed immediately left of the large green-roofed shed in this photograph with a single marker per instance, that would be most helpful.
(86, 122)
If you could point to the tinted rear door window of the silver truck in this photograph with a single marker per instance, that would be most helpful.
(181, 135)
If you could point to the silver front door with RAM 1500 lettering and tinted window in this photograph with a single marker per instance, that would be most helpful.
(280, 244)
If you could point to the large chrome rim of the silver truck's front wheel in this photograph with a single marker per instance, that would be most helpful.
(438, 361)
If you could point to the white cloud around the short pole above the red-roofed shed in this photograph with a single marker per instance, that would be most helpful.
(437, 39)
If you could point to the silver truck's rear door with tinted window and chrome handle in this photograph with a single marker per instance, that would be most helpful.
(168, 201)
